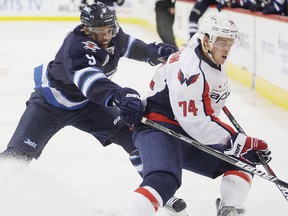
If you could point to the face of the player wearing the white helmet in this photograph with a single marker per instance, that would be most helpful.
(221, 48)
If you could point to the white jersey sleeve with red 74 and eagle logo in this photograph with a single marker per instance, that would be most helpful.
(191, 104)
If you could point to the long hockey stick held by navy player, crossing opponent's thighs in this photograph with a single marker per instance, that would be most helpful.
(218, 154)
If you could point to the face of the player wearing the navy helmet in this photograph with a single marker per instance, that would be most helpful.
(103, 35)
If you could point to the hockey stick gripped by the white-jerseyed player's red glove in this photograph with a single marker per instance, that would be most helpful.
(263, 162)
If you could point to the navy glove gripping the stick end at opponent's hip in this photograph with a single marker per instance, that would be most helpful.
(130, 105)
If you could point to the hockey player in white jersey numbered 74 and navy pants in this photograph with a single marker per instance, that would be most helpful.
(187, 94)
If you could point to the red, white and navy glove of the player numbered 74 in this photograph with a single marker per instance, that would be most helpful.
(246, 148)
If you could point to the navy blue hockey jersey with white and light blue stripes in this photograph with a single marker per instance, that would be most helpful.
(81, 70)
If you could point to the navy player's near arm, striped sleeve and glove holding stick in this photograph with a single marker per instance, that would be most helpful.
(95, 85)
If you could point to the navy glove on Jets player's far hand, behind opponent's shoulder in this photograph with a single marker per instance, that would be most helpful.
(159, 52)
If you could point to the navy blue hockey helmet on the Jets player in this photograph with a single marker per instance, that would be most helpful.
(97, 15)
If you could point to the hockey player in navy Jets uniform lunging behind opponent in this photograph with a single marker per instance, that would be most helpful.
(75, 88)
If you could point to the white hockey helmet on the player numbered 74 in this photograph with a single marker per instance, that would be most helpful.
(218, 24)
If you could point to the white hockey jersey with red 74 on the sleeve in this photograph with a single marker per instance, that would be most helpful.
(191, 90)
